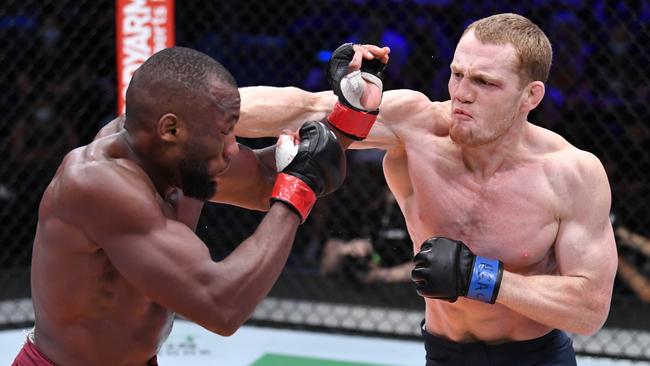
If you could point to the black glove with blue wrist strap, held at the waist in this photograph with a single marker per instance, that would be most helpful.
(446, 269)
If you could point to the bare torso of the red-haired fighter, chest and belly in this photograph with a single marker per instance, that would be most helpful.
(511, 215)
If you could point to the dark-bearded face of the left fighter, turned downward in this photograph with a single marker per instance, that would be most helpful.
(211, 148)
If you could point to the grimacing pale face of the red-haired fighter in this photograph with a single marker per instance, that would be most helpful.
(485, 91)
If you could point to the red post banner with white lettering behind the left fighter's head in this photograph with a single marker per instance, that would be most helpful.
(143, 27)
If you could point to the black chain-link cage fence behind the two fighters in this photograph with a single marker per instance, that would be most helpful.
(58, 73)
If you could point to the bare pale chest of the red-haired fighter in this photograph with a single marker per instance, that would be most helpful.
(510, 216)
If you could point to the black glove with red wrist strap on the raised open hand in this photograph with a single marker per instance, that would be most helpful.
(348, 115)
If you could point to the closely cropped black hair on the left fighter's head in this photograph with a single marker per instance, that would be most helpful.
(186, 72)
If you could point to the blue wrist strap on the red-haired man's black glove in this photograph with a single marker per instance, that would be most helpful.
(485, 280)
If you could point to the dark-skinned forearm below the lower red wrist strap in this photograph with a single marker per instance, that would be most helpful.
(246, 276)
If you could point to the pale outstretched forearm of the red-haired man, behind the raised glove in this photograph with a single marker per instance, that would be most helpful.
(266, 111)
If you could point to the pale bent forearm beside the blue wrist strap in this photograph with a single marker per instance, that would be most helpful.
(564, 302)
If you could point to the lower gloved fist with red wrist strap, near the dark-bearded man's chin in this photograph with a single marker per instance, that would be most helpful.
(316, 168)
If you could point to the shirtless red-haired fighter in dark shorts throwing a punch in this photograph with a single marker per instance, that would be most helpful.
(509, 221)
